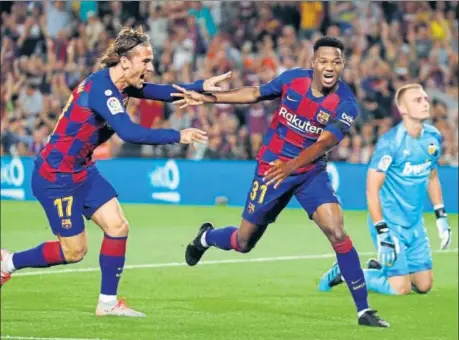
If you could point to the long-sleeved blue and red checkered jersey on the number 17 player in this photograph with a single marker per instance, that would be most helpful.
(95, 110)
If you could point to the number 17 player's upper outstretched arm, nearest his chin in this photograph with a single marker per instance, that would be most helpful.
(163, 92)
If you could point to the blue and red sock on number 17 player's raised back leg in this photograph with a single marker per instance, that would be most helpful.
(44, 255)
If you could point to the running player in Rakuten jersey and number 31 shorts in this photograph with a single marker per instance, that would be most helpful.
(317, 110)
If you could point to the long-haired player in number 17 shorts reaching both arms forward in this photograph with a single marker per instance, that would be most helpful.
(66, 181)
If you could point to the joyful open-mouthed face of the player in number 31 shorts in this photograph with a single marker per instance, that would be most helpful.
(328, 64)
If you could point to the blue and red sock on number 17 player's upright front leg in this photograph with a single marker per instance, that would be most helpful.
(111, 260)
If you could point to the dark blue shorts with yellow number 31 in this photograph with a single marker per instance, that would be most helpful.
(311, 189)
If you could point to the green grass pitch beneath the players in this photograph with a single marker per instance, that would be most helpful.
(276, 298)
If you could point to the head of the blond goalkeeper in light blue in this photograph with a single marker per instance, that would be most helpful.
(415, 104)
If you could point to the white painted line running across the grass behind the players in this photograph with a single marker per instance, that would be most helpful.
(181, 264)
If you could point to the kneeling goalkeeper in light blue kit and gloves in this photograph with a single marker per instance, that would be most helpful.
(403, 168)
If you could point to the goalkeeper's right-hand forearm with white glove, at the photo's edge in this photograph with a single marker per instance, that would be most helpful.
(436, 198)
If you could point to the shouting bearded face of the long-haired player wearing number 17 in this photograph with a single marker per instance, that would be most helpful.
(138, 65)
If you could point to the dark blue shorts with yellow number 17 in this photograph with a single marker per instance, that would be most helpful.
(66, 203)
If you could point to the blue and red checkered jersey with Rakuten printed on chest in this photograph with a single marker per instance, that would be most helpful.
(301, 117)
